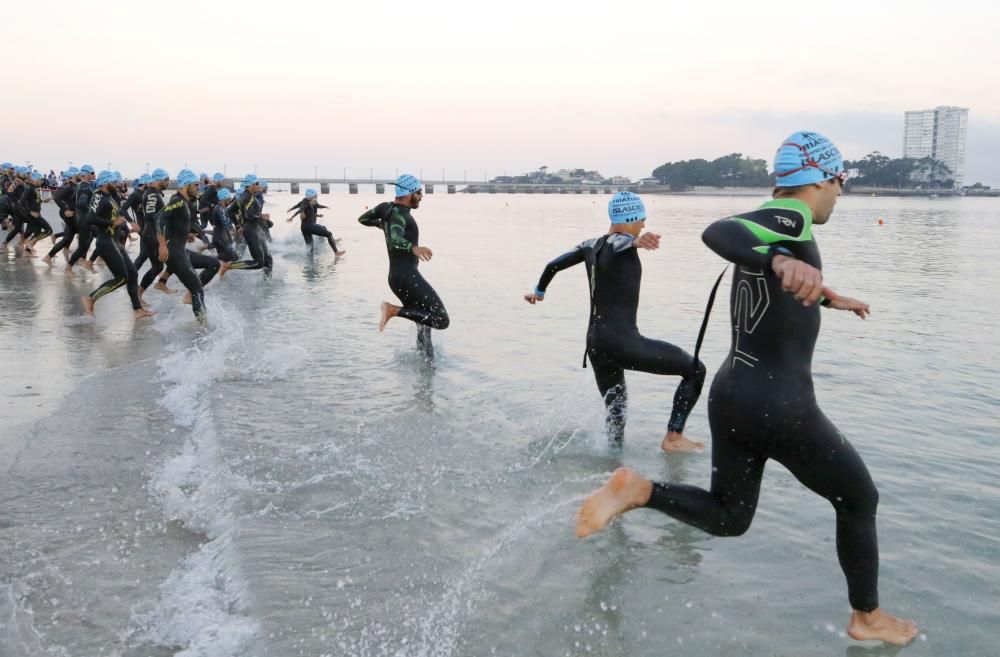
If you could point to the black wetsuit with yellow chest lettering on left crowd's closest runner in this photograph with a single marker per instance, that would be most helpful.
(174, 224)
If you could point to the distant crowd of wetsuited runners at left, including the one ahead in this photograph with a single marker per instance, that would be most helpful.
(99, 209)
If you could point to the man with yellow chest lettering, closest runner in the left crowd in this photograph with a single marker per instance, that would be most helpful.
(173, 226)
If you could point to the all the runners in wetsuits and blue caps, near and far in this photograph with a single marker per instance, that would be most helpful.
(762, 404)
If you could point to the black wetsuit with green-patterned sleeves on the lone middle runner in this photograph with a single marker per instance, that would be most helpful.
(421, 304)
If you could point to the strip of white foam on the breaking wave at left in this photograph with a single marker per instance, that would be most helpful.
(204, 603)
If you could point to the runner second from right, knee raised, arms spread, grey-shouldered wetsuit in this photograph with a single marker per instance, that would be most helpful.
(614, 343)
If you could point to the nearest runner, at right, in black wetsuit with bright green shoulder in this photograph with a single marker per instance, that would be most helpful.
(762, 404)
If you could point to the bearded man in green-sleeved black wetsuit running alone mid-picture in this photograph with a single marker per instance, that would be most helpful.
(421, 304)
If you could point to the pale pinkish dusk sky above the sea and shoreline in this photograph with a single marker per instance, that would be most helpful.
(484, 88)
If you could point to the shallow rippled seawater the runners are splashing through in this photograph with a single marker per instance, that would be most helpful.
(291, 482)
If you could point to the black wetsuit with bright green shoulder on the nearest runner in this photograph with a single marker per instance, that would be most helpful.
(762, 403)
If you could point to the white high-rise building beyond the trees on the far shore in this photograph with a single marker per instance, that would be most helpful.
(939, 133)
